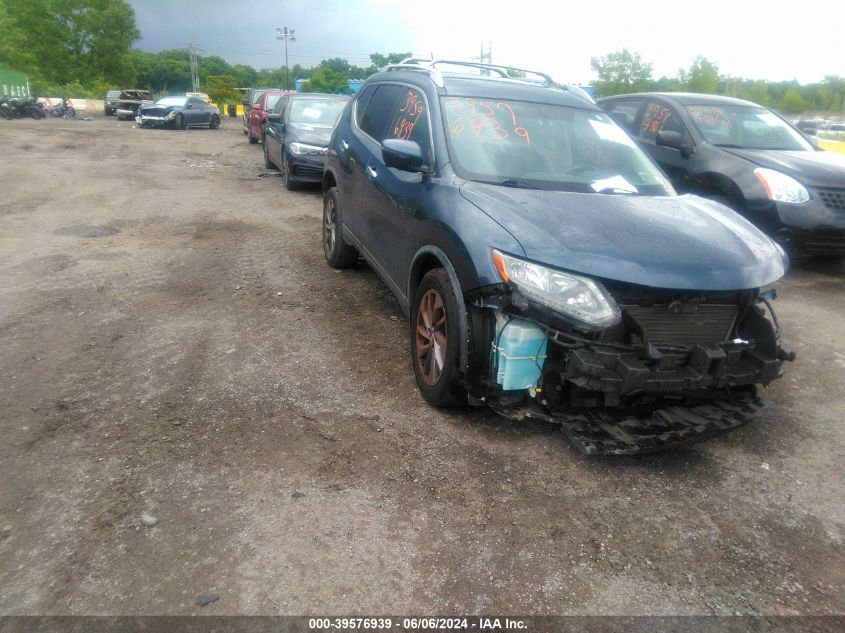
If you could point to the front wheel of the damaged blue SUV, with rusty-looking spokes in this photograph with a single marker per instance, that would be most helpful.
(435, 340)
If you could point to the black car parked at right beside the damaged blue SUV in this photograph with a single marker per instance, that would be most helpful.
(746, 157)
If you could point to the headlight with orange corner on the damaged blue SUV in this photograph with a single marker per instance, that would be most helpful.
(578, 297)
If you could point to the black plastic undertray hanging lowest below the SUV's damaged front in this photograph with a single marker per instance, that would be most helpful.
(596, 432)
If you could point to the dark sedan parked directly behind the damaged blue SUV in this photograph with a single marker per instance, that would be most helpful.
(297, 134)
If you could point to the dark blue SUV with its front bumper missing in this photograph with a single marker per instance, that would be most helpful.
(547, 267)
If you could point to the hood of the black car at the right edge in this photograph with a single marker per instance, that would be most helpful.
(814, 169)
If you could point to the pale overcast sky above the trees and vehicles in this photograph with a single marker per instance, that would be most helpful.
(764, 39)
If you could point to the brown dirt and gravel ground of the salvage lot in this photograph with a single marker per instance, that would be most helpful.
(172, 342)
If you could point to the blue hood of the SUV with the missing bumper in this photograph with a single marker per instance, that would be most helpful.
(684, 243)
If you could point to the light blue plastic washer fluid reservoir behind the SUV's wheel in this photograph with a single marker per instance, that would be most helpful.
(519, 352)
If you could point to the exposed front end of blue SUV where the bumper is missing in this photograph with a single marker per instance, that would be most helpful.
(673, 367)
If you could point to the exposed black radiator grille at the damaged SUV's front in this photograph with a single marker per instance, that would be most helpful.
(684, 324)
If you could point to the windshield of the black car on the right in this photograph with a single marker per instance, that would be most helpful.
(746, 127)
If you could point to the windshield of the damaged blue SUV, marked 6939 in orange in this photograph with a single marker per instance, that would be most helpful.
(542, 146)
